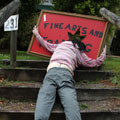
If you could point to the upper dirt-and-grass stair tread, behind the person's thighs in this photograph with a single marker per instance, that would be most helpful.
(101, 84)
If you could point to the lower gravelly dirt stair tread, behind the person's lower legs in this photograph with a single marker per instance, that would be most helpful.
(112, 105)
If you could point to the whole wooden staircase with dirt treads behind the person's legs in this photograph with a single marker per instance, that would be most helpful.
(99, 99)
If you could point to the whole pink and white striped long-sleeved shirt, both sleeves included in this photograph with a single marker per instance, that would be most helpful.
(66, 53)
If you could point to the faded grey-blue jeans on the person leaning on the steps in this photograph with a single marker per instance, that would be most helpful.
(59, 79)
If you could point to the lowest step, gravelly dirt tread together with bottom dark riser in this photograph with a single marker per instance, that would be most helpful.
(96, 110)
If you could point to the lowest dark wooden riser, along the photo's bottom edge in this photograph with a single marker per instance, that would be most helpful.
(61, 116)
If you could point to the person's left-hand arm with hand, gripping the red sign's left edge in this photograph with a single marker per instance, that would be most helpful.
(50, 47)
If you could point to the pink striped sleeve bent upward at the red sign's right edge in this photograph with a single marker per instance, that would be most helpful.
(89, 62)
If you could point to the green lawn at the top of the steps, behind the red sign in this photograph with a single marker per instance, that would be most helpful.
(111, 63)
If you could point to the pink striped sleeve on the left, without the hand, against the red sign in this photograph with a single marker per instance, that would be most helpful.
(50, 47)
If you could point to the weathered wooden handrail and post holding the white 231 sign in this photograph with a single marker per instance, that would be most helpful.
(5, 13)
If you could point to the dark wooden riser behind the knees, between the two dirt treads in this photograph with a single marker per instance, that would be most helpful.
(83, 94)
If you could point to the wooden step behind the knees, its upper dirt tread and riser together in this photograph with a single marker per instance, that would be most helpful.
(29, 91)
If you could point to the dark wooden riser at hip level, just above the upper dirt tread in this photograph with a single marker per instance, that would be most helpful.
(39, 74)
